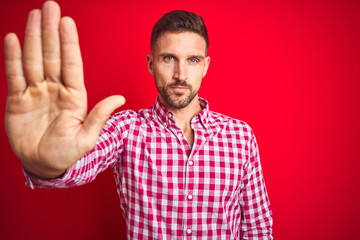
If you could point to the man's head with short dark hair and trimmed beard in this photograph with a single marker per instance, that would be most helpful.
(179, 45)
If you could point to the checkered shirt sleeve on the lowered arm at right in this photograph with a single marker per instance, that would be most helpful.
(256, 217)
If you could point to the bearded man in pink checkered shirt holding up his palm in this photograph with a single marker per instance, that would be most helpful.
(182, 171)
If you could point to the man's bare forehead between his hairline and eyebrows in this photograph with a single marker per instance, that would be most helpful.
(180, 43)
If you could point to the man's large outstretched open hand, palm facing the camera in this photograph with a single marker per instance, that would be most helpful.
(46, 110)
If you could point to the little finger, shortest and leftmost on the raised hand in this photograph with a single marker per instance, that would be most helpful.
(14, 73)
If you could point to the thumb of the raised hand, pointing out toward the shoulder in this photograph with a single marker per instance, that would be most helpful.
(100, 114)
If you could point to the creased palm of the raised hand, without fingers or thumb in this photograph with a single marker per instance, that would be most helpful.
(44, 117)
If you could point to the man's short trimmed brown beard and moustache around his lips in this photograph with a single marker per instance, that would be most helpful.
(177, 100)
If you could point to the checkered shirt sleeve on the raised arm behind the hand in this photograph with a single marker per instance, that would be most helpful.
(109, 146)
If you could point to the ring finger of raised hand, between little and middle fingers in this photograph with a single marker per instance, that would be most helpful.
(33, 65)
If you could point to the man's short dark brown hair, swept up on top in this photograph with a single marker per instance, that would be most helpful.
(179, 21)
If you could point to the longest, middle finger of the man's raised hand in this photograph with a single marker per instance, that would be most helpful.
(51, 40)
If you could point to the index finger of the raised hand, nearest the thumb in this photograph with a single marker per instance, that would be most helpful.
(71, 62)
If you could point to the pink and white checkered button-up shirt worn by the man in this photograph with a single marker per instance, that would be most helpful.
(168, 190)
